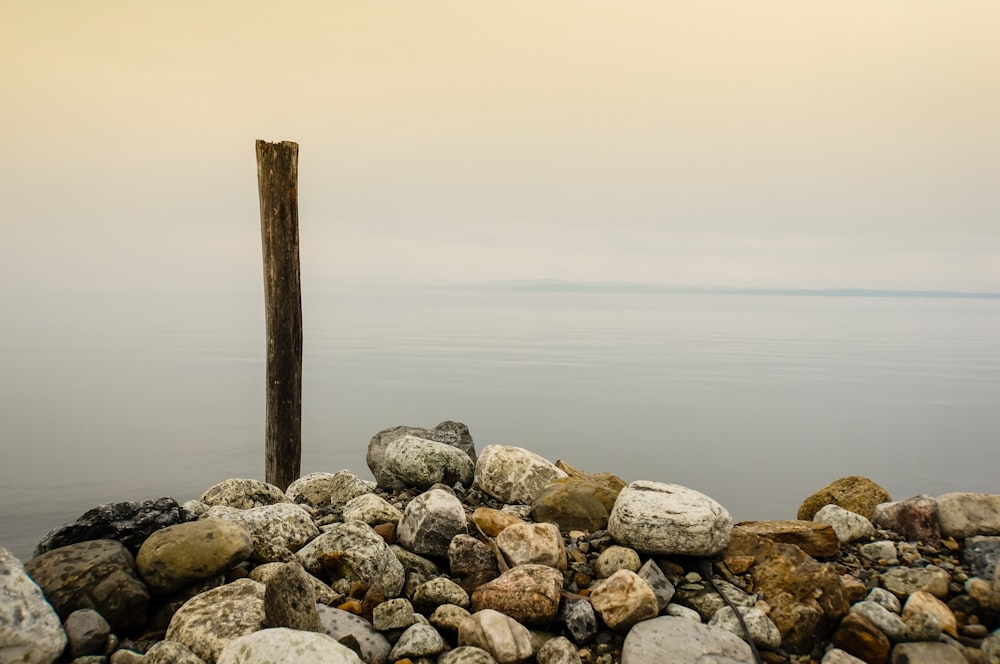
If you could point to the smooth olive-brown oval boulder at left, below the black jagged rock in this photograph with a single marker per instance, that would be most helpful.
(181, 555)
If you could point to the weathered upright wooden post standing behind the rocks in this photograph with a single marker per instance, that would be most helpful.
(277, 176)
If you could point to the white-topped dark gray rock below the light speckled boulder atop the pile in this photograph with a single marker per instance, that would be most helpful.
(430, 521)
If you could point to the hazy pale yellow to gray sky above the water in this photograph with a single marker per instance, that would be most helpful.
(841, 143)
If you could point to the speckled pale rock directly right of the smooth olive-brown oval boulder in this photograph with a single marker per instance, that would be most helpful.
(277, 531)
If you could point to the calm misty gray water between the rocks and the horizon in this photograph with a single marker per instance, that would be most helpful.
(755, 400)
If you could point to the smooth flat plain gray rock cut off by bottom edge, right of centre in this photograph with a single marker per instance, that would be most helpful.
(680, 641)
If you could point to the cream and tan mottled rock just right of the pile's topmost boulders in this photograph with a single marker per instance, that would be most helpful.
(513, 474)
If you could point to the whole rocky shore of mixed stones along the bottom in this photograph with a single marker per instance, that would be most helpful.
(498, 556)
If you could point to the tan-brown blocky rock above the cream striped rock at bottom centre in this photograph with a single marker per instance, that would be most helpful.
(527, 593)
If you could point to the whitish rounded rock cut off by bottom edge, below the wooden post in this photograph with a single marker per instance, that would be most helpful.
(286, 646)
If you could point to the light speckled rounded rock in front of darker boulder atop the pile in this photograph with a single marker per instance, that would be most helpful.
(421, 463)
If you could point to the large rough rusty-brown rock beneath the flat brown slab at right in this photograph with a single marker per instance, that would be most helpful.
(807, 598)
